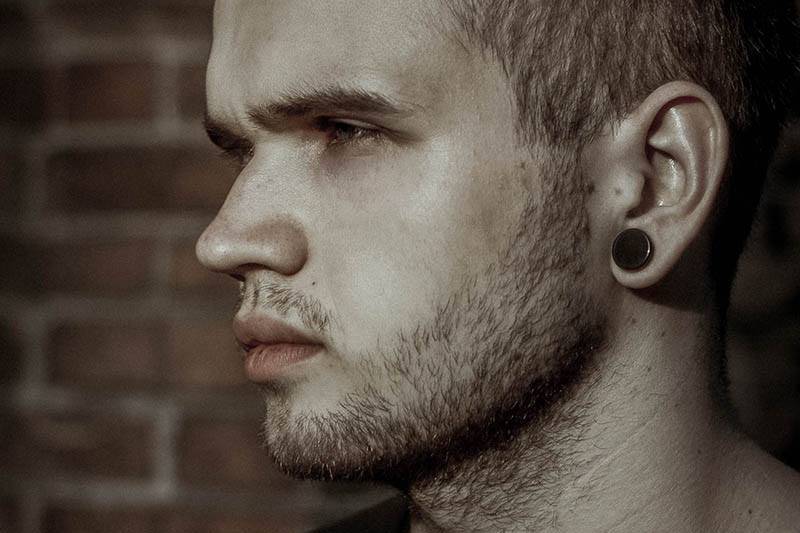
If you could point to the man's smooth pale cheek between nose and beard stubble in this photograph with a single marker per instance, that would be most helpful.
(387, 252)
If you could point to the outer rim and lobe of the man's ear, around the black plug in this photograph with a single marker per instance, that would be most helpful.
(668, 247)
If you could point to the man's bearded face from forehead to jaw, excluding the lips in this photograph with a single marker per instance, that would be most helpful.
(387, 210)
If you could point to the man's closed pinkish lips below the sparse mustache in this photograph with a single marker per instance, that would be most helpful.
(272, 346)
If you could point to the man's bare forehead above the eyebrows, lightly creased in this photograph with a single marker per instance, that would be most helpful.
(264, 49)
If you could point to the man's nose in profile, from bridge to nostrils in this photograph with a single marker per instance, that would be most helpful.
(252, 232)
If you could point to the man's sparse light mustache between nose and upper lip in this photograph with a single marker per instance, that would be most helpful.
(282, 300)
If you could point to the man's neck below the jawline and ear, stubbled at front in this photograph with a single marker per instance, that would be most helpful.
(636, 446)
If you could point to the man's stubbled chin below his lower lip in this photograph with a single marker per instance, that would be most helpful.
(327, 433)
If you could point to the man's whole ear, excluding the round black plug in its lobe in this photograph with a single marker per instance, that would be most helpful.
(669, 159)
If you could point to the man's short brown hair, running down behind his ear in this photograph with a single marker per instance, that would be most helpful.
(577, 65)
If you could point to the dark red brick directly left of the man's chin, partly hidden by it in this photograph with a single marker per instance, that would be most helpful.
(226, 454)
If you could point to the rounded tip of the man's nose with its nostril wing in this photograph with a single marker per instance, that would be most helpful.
(277, 245)
